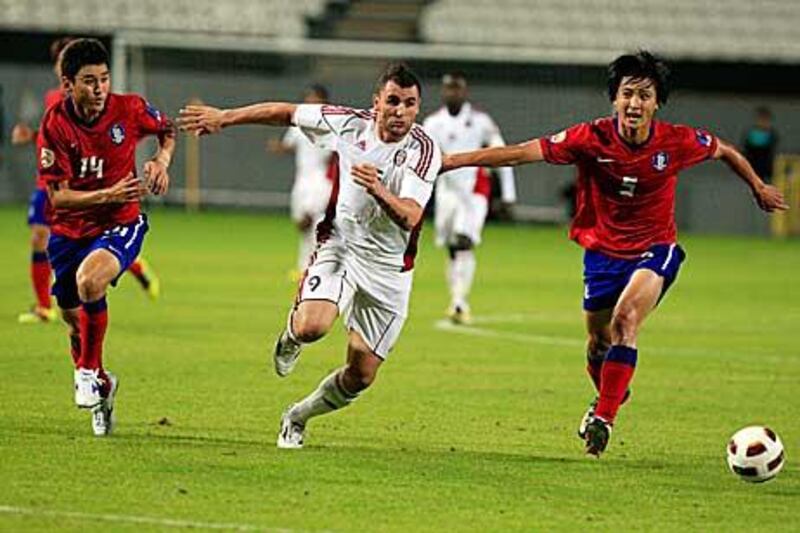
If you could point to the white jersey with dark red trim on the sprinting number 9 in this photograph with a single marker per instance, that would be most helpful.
(408, 168)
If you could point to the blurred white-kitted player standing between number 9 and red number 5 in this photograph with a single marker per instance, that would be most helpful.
(462, 195)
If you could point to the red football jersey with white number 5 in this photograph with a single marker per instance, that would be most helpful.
(626, 193)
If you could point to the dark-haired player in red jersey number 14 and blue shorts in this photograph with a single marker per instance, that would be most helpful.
(87, 147)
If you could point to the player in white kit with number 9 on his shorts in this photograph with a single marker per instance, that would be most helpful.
(362, 267)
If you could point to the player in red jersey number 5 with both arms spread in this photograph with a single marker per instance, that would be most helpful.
(627, 174)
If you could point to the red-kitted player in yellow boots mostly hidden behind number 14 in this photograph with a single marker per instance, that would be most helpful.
(39, 212)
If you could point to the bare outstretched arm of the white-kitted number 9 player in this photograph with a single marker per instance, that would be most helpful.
(203, 119)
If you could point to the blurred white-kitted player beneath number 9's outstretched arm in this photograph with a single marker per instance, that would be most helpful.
(312, 182)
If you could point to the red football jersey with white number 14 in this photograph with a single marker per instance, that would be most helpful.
(95, 156)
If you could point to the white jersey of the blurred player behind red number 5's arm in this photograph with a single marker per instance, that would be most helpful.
(471, 129)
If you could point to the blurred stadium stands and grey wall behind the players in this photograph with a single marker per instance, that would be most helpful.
(536, 66)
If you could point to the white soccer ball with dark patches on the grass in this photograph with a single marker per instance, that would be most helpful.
(755, 454)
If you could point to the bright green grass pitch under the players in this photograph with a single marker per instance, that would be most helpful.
(464, 430)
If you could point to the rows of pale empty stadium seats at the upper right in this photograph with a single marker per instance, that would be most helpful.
(681, 28)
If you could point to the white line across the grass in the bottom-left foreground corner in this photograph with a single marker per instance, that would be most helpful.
(131, 519)
